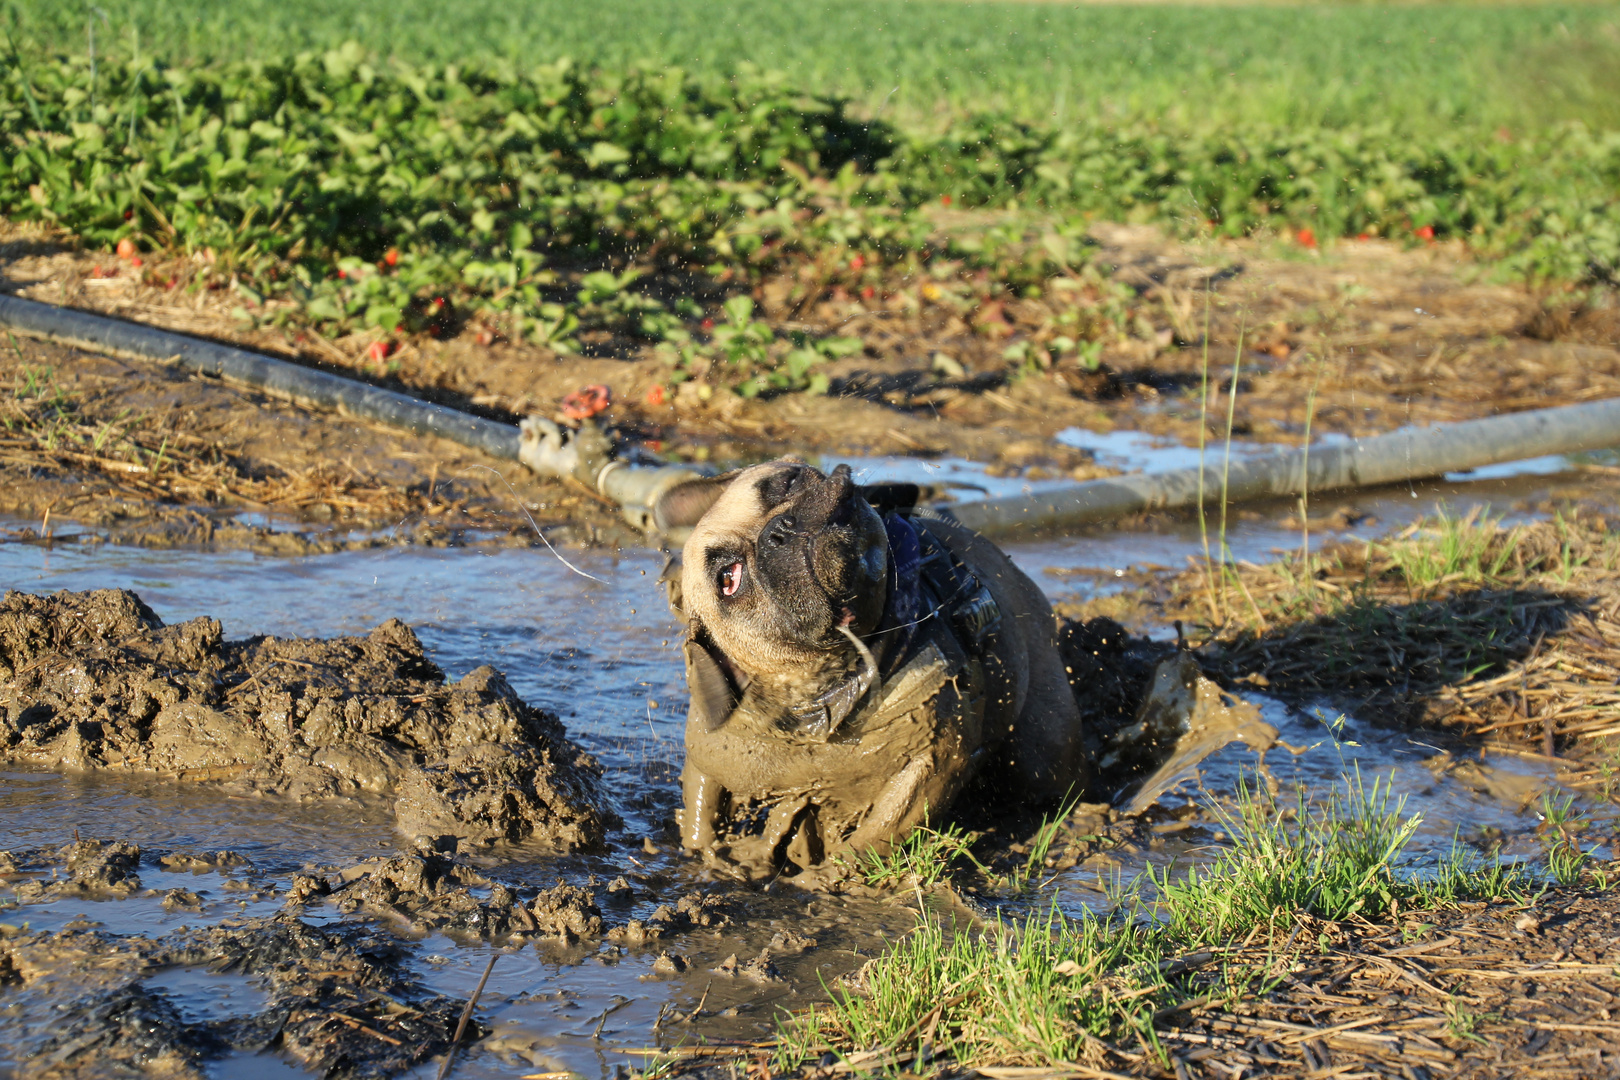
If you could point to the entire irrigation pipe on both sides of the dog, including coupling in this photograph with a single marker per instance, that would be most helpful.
(1399, 456)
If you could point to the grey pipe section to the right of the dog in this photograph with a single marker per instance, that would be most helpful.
(1399, 456)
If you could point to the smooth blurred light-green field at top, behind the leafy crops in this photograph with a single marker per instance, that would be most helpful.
(1052, 62)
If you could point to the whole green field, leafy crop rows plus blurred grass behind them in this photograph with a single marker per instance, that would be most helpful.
(403, 169)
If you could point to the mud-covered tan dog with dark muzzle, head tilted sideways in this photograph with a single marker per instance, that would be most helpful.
(851, 671)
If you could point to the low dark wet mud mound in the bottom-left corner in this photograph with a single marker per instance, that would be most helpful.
(335, 1003)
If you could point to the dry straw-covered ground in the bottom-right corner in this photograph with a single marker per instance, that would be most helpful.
(1494, 990)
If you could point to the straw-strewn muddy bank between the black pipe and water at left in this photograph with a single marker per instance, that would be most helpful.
(108, 451)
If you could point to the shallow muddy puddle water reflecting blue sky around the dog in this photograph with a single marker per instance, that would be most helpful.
(600, 652)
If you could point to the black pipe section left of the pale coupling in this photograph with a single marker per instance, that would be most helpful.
(278, 378)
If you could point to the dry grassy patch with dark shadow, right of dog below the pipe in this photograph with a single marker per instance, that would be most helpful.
(1456, 623)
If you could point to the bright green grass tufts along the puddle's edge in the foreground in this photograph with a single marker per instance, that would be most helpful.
(1051, 989)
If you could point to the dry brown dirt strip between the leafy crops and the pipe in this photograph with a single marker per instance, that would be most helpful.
(1384, 336)
